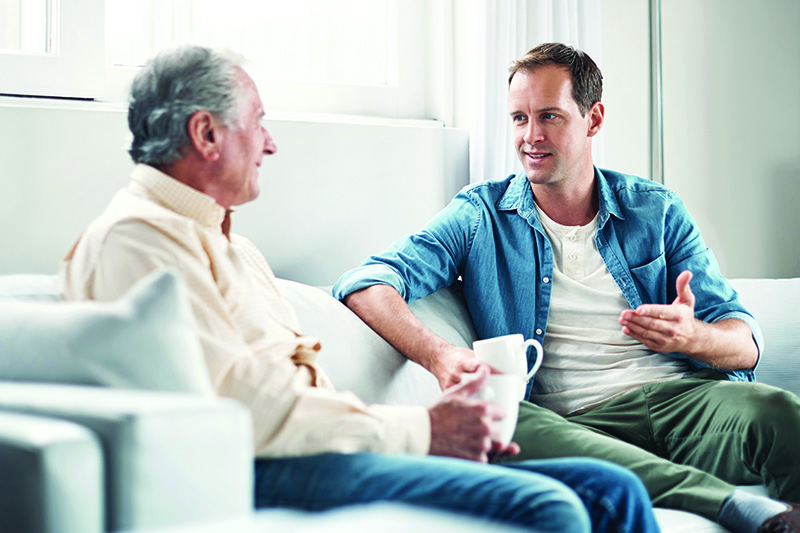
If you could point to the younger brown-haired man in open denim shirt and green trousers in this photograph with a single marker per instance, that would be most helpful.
(639, 368)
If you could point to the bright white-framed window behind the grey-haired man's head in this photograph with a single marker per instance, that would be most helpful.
(363, 57)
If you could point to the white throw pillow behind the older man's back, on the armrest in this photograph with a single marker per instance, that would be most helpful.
(146, 340)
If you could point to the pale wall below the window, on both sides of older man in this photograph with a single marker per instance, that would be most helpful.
(333, 194)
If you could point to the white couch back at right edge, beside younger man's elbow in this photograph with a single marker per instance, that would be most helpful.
(775, 304)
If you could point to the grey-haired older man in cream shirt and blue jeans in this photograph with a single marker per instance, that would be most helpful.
(198, 141)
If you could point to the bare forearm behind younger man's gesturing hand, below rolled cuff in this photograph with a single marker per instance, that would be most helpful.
(727, 344)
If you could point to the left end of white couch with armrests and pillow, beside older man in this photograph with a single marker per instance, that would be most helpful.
(110, 422)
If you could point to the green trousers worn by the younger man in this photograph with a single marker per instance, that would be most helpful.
(690, 441)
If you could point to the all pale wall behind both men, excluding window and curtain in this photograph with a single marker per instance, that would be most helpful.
(337, 192)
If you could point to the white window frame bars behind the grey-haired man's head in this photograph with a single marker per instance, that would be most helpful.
(79, 69)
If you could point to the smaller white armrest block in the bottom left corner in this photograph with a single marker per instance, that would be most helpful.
(52, 476)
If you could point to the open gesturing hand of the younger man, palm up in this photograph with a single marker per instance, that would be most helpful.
(665, 328)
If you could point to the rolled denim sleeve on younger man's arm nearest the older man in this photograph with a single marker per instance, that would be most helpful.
(420, 264)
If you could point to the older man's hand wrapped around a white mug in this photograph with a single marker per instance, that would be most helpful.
(464, 427)
